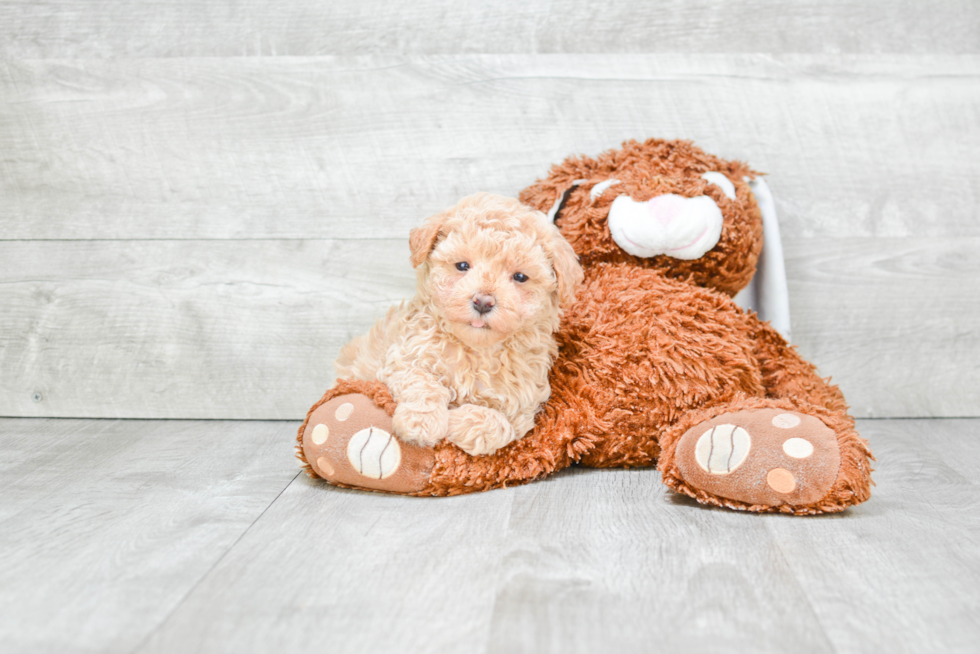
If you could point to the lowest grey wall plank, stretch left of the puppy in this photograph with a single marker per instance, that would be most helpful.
(200, 329)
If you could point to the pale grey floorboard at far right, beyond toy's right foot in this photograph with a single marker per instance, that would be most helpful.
(901, 572)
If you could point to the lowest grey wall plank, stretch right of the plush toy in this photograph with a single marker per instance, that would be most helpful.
(891, 320)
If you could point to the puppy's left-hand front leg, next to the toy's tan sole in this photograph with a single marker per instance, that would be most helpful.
(422, 414)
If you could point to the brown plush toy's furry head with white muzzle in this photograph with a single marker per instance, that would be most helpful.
(665, 205)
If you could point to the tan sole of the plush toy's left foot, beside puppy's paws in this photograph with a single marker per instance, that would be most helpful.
(349, 440)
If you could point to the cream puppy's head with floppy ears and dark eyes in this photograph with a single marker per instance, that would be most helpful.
(492, 268)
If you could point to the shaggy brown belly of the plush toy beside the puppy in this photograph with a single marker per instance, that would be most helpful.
(653, 349)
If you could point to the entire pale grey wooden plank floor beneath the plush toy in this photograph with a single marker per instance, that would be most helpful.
(187, 536)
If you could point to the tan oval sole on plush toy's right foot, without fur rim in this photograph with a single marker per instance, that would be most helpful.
(767, 457)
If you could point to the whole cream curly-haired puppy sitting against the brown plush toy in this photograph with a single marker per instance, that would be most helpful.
(468, 357)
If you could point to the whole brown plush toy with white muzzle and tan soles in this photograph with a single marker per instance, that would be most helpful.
(657, 364)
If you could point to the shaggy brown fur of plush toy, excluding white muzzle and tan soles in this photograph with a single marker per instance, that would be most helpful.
(655, 346)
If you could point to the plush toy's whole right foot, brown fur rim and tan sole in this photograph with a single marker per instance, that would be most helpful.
(767, 455)
